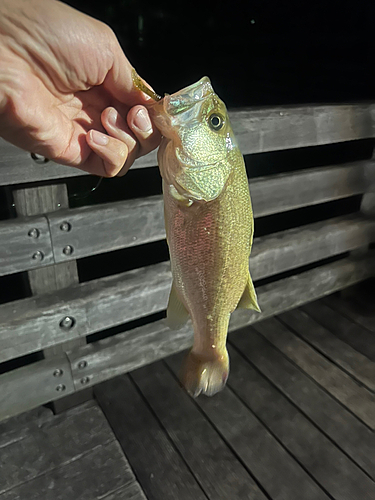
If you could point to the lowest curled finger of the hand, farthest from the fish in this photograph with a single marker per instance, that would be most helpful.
(112, 151)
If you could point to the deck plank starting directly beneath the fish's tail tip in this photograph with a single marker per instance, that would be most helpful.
(279, 474)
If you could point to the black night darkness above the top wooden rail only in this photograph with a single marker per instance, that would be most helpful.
(256, 53)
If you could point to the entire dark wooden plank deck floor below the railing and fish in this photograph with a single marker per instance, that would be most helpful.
(296, 422)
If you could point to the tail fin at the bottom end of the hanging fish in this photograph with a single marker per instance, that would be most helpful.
(206, 375)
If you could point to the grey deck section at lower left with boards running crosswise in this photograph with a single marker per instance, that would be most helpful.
(72, 456)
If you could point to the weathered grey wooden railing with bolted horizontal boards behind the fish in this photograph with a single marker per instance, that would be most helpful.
(47, 238)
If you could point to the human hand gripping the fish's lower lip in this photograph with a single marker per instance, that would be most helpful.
(66, 89)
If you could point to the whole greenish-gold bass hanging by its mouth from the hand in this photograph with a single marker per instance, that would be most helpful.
(209, 227)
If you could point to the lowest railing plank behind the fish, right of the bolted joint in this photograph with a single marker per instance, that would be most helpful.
(129, 350)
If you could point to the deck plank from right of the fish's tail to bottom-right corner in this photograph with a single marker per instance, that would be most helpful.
(331, 468)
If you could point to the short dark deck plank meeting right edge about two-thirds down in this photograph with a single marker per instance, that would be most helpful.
(353, 334)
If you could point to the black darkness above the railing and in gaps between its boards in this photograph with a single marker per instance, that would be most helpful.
(257, 53)
